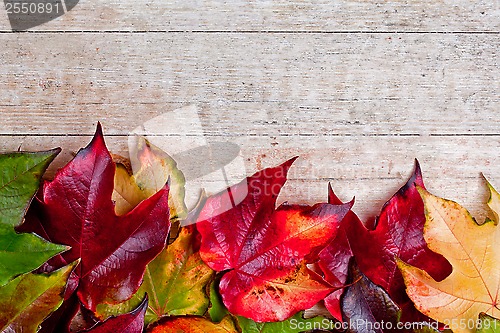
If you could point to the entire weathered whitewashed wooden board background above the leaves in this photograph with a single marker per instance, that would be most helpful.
(357, 88)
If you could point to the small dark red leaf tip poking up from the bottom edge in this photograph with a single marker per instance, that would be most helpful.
(132, 322)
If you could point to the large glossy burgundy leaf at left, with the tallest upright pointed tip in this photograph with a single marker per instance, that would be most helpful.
(76, 210)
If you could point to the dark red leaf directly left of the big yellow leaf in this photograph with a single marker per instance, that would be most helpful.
(398, 233)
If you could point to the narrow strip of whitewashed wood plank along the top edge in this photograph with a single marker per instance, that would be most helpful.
(281, 15)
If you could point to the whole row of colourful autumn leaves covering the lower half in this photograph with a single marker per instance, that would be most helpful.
(90, 254)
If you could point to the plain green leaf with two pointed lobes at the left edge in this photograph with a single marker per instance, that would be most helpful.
(19, 181)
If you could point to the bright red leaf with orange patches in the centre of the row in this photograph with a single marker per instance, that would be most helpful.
(266, 249)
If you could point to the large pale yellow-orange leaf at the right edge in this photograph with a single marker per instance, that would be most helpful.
(474, 252)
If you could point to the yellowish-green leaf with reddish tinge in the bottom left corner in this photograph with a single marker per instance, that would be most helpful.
(28, 299)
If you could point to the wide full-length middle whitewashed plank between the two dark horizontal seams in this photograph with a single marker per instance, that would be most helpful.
(252, 84)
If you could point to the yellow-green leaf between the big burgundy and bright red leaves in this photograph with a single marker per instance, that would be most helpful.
(175, 282)
